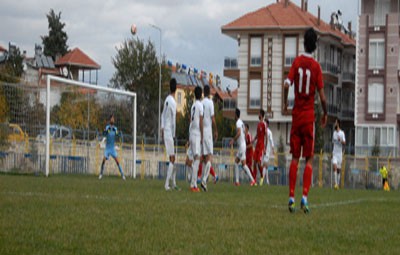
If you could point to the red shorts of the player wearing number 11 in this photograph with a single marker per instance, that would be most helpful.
(302, 136)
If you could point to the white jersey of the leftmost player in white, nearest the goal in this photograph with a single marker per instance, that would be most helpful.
(168, 117)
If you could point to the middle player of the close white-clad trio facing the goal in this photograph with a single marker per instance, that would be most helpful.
(196, 135)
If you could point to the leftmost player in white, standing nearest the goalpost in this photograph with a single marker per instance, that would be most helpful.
(168, 127)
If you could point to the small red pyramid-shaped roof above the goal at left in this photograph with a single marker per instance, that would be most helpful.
(78, 58)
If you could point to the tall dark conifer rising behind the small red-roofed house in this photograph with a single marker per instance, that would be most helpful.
(55, 43)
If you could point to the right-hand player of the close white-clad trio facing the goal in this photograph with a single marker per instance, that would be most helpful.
(208, 125)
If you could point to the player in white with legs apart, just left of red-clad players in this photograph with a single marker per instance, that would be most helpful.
(241, 150)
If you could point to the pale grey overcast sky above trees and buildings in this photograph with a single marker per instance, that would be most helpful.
(191, 30)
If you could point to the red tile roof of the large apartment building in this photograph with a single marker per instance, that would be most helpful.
(277, 16)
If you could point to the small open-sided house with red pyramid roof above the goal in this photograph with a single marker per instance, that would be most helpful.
(77, 65)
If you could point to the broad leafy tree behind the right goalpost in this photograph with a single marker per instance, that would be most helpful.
(137, 69)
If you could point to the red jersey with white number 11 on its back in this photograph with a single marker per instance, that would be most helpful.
(306, 75)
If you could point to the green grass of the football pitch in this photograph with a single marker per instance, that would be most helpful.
(82, 215)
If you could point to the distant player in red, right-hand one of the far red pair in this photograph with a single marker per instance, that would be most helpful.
(261, 144)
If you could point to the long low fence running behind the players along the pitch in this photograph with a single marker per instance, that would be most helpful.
(28, 157)
